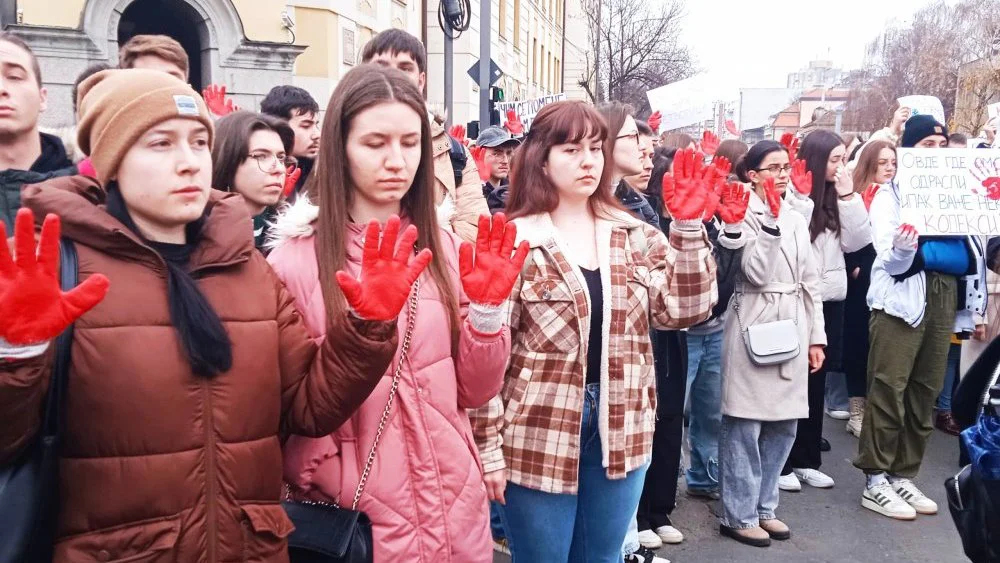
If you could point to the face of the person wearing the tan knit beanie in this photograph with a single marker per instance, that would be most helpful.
(166, 176)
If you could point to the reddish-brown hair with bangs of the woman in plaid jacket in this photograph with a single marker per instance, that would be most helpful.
(531, 190)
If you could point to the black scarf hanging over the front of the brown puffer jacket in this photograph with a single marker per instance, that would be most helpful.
(202, 336)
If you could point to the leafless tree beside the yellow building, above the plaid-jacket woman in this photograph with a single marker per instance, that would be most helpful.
(635, 48)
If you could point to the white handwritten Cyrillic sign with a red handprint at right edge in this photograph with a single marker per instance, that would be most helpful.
(950, 191)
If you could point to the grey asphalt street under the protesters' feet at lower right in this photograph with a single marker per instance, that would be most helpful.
(830, 525)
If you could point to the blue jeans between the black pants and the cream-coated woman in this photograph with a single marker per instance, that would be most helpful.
(705, 396)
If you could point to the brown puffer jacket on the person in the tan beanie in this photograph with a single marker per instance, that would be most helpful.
(159, 465)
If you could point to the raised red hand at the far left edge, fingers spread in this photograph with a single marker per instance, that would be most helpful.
(35, 310)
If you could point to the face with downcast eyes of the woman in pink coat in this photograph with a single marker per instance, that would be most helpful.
(383, 153)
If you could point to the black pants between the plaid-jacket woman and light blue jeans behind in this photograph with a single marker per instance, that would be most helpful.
(659, 493)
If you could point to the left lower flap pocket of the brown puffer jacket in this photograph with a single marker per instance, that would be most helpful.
(149, 541)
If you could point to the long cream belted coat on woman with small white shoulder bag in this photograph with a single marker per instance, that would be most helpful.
(779, 280)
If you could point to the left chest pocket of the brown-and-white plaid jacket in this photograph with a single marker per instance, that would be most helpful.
(548, 317)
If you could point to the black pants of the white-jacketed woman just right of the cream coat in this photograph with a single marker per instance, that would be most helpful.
(805, 452)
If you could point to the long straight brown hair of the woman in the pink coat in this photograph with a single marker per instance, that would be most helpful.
(330, 187)
